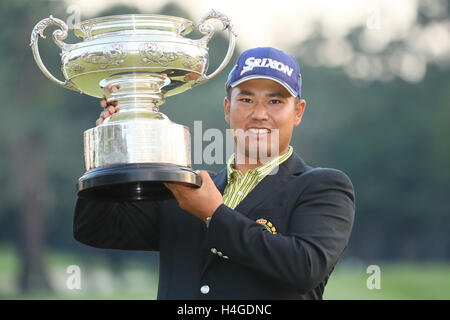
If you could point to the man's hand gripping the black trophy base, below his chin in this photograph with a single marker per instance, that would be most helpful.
(200, 202)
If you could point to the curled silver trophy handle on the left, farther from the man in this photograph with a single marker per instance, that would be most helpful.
(58, 37)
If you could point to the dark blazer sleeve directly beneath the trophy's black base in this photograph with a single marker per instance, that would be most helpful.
(132, 225)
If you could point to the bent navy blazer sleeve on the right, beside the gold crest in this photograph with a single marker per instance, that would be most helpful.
(319, 229)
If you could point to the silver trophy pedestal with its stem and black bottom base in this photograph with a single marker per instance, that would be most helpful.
(136, 149)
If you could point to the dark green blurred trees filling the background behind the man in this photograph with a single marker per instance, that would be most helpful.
(390, 137)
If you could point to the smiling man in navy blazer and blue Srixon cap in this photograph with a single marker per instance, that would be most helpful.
(280, 240)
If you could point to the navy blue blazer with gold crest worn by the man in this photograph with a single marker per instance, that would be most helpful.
(312, 210)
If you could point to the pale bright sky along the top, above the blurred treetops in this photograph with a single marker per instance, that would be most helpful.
(285, 23)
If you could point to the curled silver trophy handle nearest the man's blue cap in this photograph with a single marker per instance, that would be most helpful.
(208, 31)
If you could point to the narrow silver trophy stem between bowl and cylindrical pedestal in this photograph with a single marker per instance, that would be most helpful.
(139, 95)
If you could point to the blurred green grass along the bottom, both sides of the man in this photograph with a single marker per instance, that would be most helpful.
(138, 281)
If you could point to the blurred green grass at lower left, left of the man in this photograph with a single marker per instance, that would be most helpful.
(98, 280)
